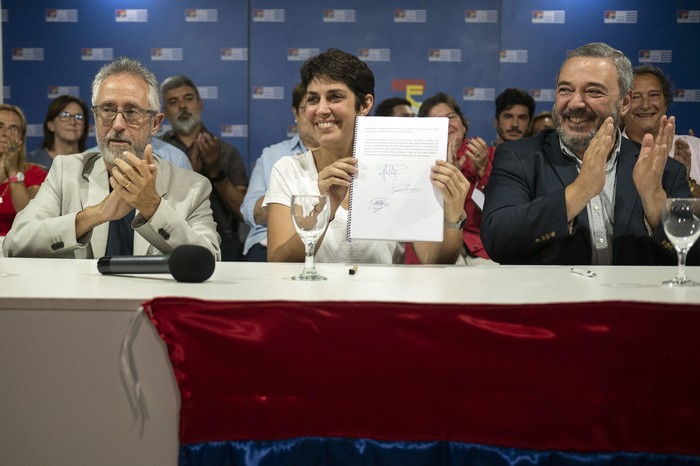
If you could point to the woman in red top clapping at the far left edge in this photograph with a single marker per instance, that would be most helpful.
(19, 181)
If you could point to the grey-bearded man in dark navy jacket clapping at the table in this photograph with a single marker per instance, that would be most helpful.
(583, 194)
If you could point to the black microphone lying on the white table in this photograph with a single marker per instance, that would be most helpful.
(188, 263)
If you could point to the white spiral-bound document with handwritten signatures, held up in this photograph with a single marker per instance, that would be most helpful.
(391, 196)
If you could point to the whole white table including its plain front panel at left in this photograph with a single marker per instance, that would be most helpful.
(62, 401)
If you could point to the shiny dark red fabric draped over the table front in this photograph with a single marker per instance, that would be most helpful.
(602, 376)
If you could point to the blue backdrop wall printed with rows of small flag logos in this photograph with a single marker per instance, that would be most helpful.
(245, 55)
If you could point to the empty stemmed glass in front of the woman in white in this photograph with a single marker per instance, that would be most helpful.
(310, 215)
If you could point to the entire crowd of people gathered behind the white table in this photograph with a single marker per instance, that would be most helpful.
(587, 189)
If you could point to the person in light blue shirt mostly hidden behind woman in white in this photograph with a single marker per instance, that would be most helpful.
(255, 248)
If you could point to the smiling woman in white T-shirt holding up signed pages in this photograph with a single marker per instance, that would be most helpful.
(339, 87)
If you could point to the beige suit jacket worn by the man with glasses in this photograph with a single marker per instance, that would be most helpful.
(46, 227)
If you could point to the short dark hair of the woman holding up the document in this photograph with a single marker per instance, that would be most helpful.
(342, 67)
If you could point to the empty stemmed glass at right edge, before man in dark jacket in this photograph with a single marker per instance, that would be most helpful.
(681, 219)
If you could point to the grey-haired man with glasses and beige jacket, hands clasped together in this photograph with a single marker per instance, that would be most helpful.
(94, 204)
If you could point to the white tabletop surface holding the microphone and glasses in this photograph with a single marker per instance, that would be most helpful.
(76, 284)
